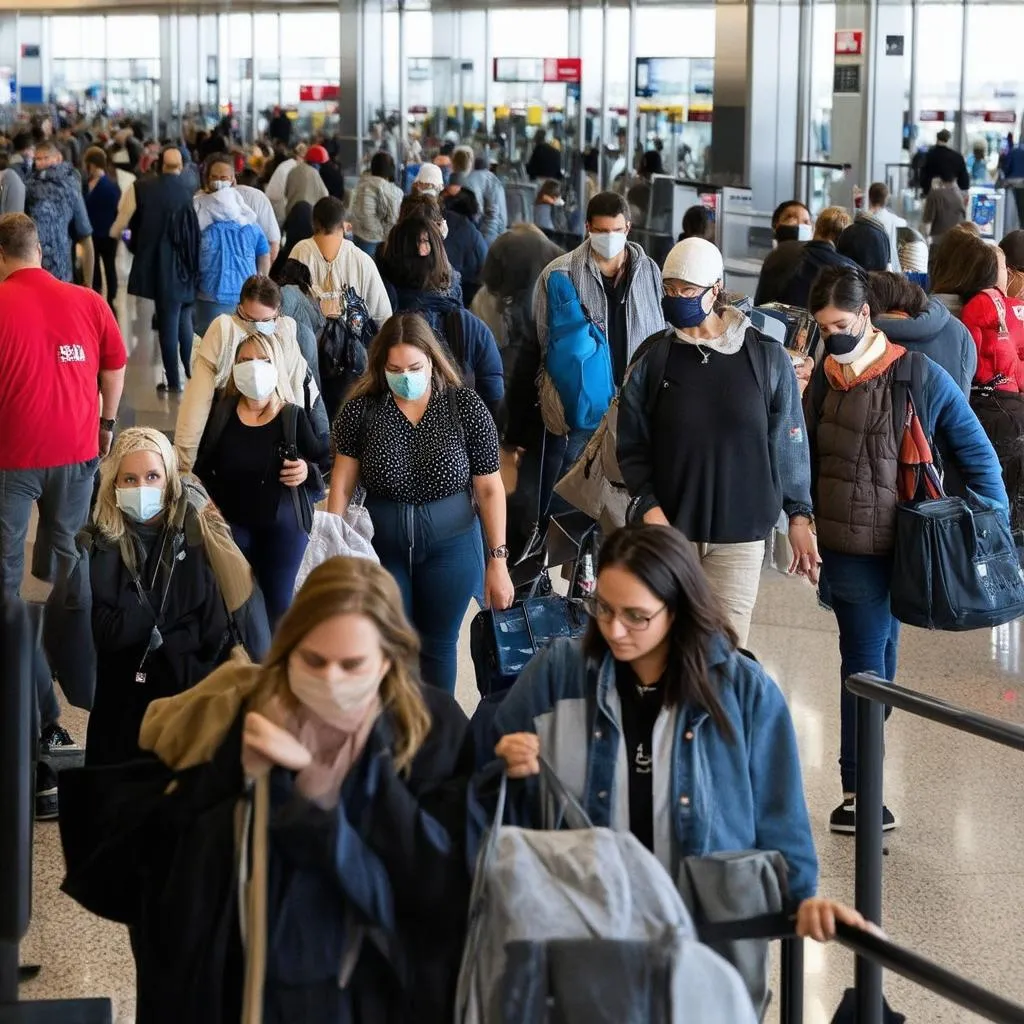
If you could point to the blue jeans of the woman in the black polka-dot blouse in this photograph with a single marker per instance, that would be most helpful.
(436, 554)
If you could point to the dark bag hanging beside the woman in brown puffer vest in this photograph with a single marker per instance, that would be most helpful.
(956, 565)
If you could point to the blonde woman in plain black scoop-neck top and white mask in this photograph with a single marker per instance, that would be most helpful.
(265, 485)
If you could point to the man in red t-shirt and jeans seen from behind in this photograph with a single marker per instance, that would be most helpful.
(62, 372)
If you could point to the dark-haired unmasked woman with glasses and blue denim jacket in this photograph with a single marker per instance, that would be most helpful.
(694, 749)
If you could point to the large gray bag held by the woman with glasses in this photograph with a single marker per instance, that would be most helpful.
(584, 927)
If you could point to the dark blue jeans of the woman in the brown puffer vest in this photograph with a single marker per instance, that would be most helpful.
(869, 636)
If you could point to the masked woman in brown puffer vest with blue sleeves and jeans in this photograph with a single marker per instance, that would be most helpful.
(856, 436)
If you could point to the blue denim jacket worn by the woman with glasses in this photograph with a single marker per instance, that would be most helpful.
(722, 795)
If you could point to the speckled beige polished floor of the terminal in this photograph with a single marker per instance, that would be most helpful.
(955, 887)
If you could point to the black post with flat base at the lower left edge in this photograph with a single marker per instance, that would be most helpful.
(18, 732)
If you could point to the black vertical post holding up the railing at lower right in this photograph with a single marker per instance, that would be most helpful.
(869, 850)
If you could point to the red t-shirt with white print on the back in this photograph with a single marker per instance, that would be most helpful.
(55, 340)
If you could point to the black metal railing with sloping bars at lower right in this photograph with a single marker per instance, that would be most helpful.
(874, 954)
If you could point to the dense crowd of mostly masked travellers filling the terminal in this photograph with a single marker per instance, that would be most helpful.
(359, 351)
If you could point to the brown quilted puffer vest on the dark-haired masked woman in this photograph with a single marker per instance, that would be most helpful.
(858, 455)
